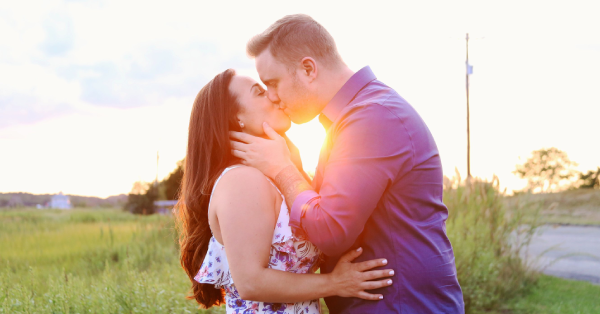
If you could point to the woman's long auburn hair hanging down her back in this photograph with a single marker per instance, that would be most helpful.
(208, 154)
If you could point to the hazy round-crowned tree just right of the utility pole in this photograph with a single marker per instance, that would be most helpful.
(547, 170)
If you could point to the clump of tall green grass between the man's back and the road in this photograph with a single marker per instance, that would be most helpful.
(487, 238)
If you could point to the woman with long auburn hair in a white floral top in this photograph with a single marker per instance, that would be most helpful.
(234, 221)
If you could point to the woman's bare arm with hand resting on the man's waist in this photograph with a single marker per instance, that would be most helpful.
(245, 206)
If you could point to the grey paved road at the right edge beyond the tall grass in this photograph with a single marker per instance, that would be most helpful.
(571, 252)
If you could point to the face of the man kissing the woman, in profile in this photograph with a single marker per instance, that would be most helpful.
(288, 88)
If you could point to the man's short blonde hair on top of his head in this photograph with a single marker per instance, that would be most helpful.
(294, 37)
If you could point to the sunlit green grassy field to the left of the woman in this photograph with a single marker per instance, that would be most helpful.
(88, 261)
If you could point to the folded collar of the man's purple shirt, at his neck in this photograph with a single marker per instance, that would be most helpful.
(345, 95)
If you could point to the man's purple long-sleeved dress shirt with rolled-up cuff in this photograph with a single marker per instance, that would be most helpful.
(378, 186)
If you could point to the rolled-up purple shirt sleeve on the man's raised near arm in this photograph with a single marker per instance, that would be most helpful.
(371, 148)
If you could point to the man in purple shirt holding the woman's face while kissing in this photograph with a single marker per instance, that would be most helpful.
(378, 184)
